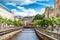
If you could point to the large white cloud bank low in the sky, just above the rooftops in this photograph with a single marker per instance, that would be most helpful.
(28, 12)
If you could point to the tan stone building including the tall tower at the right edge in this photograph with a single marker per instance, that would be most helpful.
(56, 12)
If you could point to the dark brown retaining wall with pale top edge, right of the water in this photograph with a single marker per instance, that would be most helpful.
(44, 36)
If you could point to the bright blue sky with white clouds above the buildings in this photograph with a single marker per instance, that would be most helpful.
(27, 7)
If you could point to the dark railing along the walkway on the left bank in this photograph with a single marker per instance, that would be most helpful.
(8, 30)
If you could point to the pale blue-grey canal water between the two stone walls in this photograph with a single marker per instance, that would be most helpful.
(26, 34)
